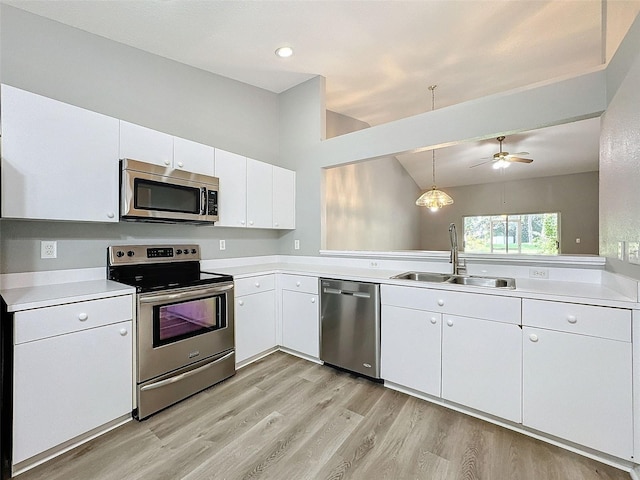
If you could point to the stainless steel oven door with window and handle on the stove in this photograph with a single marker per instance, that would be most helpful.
(179, 327)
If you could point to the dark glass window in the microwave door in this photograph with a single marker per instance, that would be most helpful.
(166, 197)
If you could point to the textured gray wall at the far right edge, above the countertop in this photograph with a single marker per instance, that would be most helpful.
(620, 155)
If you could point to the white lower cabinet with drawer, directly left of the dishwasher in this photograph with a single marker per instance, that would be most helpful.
(300, 314)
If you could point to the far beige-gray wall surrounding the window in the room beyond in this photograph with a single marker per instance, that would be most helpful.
(574, 196)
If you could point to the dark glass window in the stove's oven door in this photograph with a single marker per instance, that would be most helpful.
(177, 321)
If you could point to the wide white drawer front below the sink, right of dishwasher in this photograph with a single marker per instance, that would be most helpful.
(476, 305)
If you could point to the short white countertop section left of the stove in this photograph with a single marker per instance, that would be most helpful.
(26, 298)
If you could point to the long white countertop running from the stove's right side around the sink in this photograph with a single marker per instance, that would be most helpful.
(565, 291)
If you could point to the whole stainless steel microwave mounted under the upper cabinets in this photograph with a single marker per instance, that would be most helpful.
(153, 193)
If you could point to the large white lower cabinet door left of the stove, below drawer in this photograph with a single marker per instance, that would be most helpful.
(67, 385)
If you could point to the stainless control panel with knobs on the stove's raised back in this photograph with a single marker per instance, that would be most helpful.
(140, 254)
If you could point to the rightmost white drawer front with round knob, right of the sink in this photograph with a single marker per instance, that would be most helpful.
(603, 322)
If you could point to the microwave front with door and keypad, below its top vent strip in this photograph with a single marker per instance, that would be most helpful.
(151, 197)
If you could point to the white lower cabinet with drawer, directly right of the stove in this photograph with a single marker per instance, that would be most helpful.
(255, 316)
